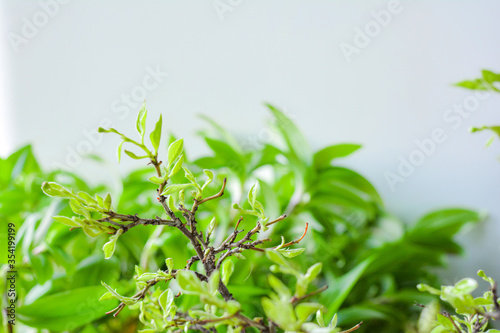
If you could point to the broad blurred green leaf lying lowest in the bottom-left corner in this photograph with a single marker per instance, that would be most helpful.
(65, 311)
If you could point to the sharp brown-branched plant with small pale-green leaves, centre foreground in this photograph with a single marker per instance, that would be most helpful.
(217, 306)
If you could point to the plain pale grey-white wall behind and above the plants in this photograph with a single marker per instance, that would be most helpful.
(64, 80)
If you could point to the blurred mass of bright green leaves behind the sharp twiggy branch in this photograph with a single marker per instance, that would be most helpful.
(372, 261)
